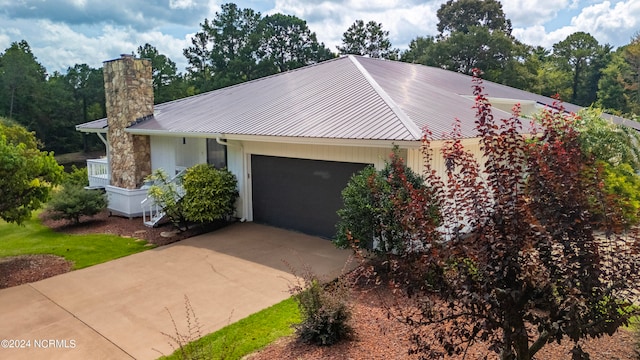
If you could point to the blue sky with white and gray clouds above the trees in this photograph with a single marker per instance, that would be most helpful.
(63, 33)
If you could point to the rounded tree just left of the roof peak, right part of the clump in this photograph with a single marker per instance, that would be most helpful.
(286, 43)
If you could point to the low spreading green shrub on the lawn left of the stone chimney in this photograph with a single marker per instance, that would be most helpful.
(73, 201)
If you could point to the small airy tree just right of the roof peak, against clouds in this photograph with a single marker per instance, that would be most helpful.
(367, 39)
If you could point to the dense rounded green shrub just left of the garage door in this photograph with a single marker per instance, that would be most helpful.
(210, 193)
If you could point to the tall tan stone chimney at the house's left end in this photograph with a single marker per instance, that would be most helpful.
(128, 88)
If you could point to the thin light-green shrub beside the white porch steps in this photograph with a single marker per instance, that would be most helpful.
(167, 193)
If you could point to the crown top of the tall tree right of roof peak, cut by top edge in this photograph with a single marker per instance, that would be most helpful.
(462, 15)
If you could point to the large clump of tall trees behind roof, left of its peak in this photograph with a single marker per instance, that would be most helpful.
(240, 45)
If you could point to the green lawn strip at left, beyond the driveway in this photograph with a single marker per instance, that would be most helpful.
(82, 250)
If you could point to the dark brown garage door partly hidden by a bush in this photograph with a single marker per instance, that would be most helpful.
(299, 194)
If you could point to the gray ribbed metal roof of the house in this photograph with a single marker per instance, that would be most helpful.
(346, 98)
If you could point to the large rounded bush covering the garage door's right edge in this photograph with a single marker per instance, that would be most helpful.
(378, 213)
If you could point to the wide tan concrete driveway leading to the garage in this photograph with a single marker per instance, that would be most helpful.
(119, 310)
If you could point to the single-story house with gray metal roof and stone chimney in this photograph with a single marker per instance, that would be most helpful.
(292, 139)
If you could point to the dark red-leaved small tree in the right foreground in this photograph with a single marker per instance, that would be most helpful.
(522, 265)
